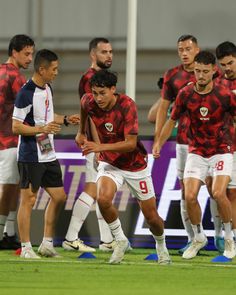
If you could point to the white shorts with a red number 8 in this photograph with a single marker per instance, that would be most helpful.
(198, 166)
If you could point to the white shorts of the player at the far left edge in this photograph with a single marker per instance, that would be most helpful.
(9, 173)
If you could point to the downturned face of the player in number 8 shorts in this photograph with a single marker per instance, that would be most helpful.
(203, 73)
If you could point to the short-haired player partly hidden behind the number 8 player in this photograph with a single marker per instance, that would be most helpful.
(174, 80)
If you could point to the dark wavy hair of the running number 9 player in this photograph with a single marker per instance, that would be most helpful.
(103, 78)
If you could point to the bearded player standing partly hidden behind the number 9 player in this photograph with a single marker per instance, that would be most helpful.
(101, 55)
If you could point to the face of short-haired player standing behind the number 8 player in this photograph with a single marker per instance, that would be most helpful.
(187, 50)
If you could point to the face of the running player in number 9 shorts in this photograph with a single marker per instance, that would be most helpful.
(104, 97)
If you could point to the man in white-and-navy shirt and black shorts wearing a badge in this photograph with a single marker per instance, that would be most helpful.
(35, 121)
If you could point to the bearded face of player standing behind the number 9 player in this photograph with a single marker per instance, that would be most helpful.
(103, 55)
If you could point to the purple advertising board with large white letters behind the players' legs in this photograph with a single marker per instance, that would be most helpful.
(167, 191)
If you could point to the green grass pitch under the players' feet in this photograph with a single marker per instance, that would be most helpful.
(135, 275)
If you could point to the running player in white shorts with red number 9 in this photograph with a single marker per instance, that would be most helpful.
(122, 158)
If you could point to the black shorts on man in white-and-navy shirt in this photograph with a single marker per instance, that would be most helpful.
(46, 174)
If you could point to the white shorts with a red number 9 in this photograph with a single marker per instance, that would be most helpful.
(139, 182)
